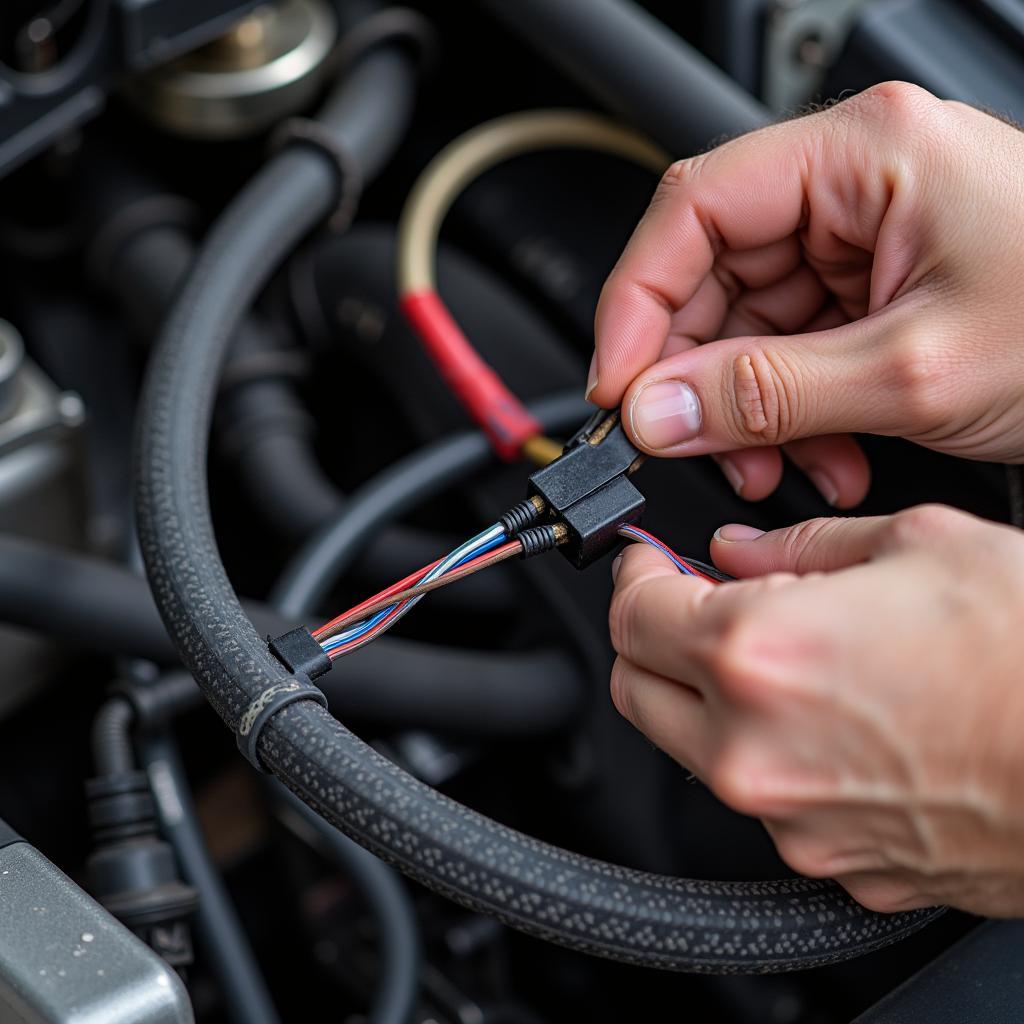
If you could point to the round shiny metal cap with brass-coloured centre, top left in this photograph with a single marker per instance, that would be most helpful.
(268, 67)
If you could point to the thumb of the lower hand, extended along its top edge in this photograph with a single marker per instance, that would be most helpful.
(815, 546)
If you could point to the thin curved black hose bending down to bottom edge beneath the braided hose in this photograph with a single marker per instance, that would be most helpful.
(398, 931)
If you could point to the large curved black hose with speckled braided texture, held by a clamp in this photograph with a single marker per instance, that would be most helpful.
(551, 893)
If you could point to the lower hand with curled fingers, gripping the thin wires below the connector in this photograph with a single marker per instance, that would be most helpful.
(863, 695)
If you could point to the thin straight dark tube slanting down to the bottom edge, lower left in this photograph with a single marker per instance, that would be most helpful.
(247, 1000)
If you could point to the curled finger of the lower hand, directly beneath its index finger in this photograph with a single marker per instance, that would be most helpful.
(671, 715)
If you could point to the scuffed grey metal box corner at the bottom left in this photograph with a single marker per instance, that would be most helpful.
(64, 960)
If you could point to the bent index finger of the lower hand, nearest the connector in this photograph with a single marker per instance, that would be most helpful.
(659, 618)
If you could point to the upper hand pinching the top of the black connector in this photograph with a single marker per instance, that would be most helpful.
(859, 270)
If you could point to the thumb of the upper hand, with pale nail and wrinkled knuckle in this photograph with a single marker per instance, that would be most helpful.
(751, 392)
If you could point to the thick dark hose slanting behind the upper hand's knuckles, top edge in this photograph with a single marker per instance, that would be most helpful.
(634, 65)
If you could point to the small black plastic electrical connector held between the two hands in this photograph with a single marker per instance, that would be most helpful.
(588, 489)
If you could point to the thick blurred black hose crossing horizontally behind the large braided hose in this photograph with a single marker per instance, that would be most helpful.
(105, 608)
